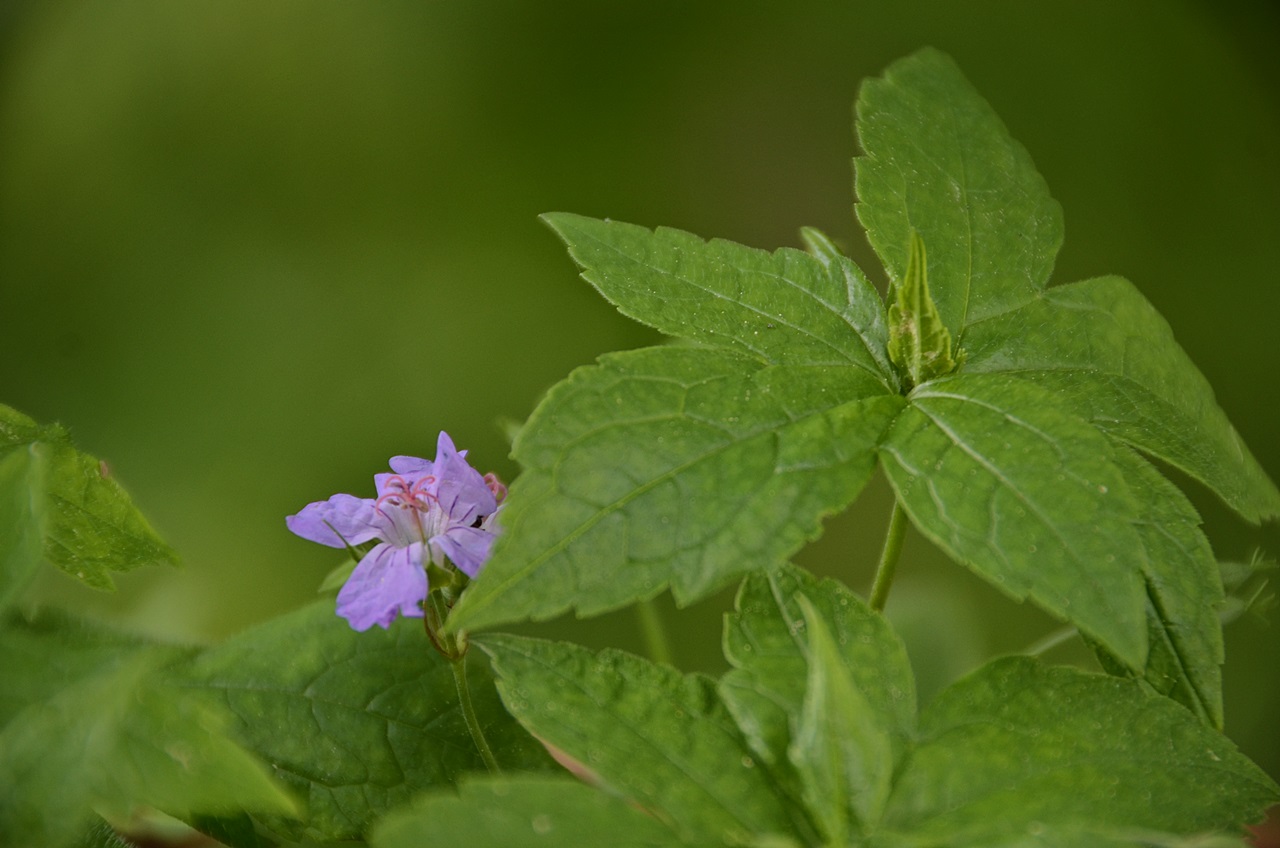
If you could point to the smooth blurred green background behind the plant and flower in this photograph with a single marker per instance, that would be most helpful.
(250, 250)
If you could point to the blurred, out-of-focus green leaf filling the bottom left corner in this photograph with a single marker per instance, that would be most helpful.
(108, 733)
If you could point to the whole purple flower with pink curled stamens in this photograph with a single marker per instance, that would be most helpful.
(424, 513)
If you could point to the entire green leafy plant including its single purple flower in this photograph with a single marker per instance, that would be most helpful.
(1023, 428)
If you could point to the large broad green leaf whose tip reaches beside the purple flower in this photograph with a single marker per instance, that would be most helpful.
(674, 466)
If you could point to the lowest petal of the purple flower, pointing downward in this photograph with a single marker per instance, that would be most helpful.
(390, 581)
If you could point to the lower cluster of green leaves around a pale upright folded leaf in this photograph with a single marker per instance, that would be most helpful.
(1017, 754)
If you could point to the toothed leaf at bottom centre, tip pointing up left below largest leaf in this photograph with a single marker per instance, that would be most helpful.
(661, 738)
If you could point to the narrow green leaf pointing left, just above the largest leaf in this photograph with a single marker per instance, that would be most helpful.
(783, 308)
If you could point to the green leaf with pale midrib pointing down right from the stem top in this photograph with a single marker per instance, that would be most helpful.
(1007, 481)
